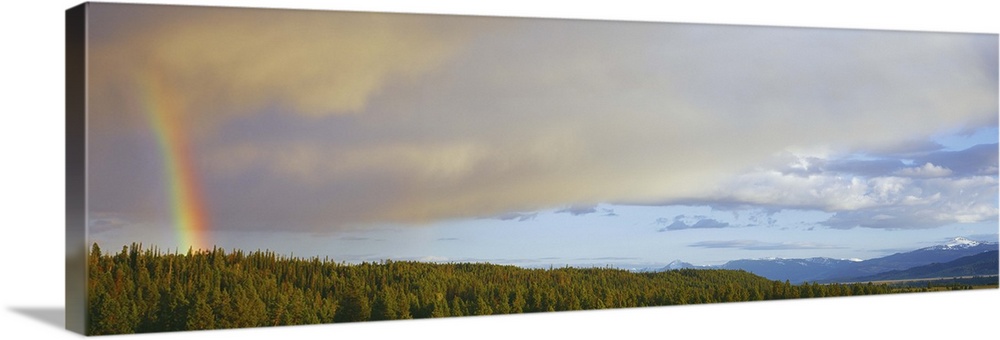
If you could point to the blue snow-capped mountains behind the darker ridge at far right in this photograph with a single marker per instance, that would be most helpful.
(822, 269)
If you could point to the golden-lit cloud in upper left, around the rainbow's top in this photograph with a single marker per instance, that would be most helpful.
(223, 62)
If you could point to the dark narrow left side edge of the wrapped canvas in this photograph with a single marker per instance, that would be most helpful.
(76, 102)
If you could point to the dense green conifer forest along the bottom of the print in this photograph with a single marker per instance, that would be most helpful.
(147, 290)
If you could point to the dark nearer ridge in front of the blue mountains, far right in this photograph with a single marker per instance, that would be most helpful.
(982, 264)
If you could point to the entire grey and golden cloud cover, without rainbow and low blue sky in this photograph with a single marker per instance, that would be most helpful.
(322, 121)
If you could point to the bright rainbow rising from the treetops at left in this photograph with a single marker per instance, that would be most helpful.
(164, 114)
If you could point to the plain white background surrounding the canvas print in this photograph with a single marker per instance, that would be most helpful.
(32, 190)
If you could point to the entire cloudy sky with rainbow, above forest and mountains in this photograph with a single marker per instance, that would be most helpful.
(535, 142)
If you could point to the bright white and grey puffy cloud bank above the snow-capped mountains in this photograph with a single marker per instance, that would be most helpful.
(890, 202)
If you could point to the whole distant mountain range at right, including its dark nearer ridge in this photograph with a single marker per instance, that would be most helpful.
(940, 260)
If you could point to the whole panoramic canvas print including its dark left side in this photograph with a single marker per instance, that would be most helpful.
(239, 167)
